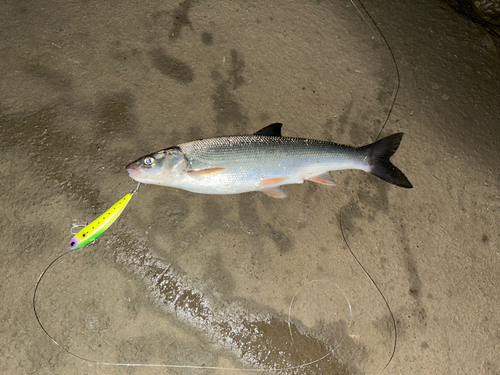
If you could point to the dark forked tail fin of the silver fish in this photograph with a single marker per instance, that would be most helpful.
(379, 154)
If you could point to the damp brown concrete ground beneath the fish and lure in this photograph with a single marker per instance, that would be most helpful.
(231, 284)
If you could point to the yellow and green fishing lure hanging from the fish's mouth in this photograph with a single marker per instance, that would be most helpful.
(101, 224)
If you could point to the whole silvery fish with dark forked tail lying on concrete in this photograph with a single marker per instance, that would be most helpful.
(263, 161)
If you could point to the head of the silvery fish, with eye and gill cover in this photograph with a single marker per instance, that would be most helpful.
(158, 167)
